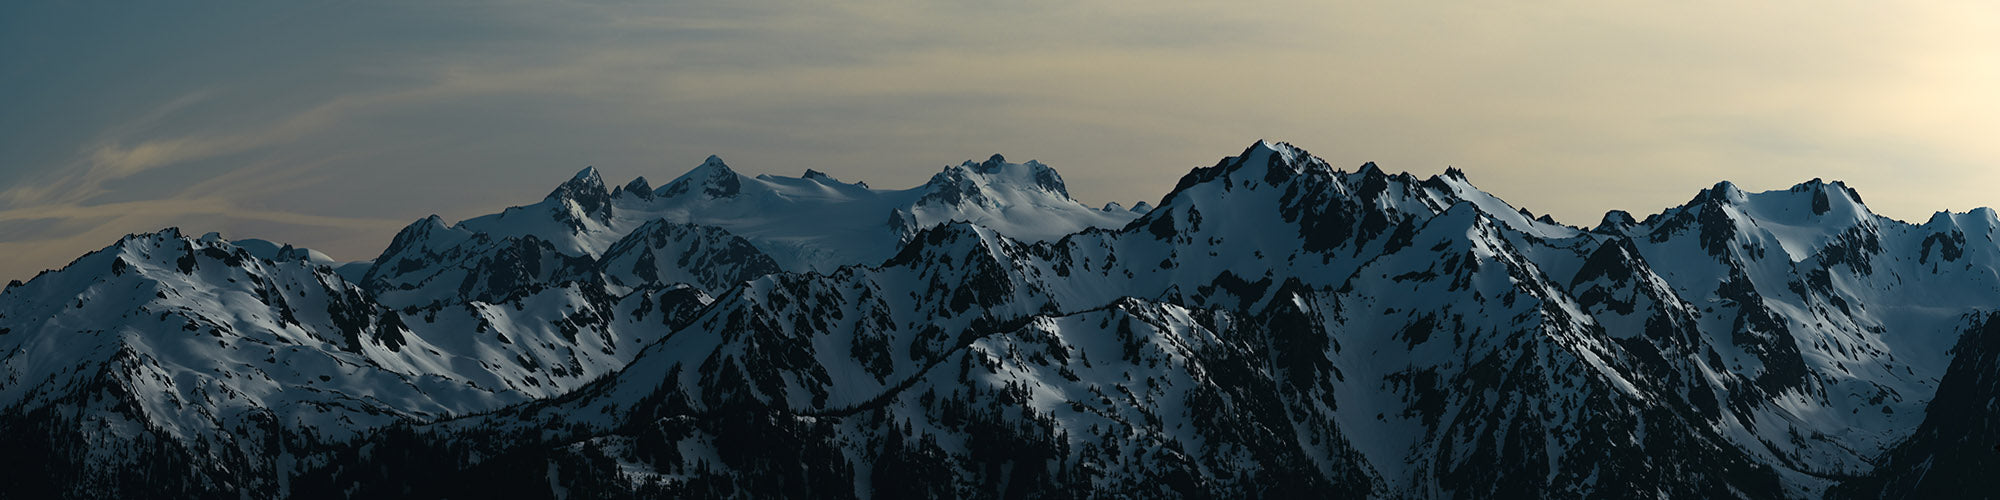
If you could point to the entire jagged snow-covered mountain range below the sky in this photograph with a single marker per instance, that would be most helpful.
(1271, 329)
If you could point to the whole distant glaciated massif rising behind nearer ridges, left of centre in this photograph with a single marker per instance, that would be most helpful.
(807, 223)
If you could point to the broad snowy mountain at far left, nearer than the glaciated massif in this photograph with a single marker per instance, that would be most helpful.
(201, 359)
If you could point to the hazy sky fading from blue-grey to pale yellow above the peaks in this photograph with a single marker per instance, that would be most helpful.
(333, 125)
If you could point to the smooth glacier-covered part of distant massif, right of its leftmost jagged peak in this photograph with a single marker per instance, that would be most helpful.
(819, 223)
